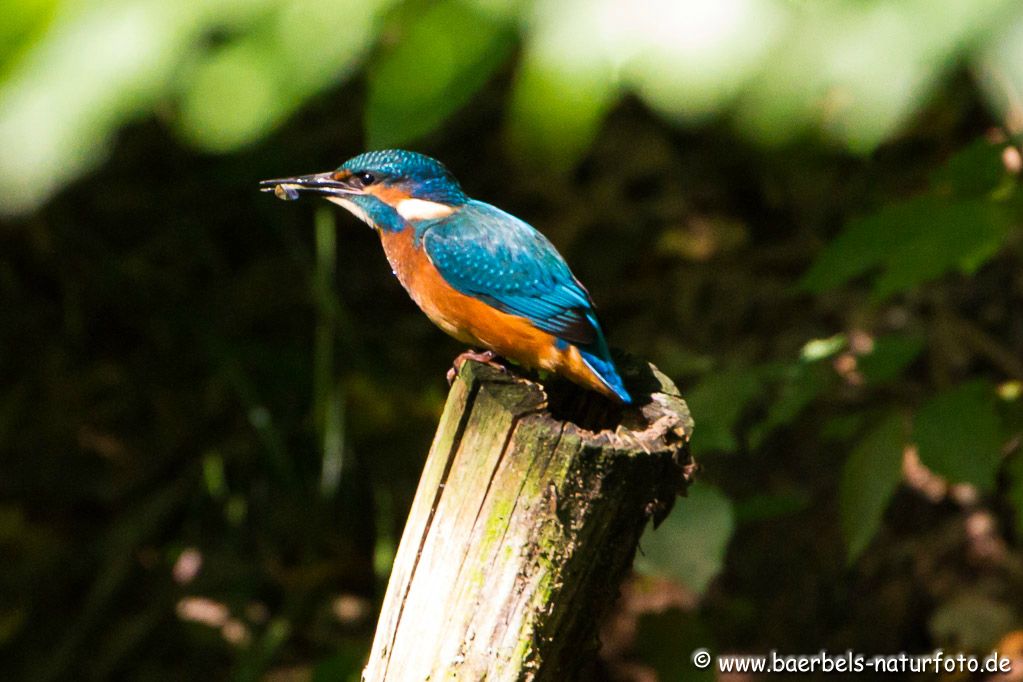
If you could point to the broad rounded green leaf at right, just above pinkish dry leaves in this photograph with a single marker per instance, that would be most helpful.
(958, 433)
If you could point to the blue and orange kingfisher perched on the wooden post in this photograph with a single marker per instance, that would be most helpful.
(479, 274)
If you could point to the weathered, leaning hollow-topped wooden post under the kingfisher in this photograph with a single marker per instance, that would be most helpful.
(525, 522)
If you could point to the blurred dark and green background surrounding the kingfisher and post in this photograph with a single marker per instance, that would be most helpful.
(214, 406)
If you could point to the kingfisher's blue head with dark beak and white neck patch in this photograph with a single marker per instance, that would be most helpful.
(387, 190)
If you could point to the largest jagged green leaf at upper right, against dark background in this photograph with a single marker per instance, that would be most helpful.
(910, 244)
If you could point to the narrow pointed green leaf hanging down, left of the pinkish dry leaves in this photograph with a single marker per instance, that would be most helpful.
(870, 478)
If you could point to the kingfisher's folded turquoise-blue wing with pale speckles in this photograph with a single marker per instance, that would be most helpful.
(491, 255)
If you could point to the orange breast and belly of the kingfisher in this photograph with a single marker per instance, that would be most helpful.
(475, 323)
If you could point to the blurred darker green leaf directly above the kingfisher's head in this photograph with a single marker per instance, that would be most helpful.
(443, 58)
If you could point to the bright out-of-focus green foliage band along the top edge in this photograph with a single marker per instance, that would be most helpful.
(229, 74)
